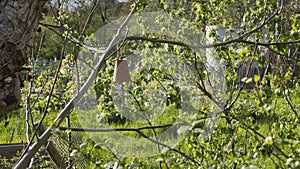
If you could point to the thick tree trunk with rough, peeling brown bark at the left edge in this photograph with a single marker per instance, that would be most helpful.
(18, 20)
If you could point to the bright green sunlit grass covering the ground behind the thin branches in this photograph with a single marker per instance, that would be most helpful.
(246, 148)
